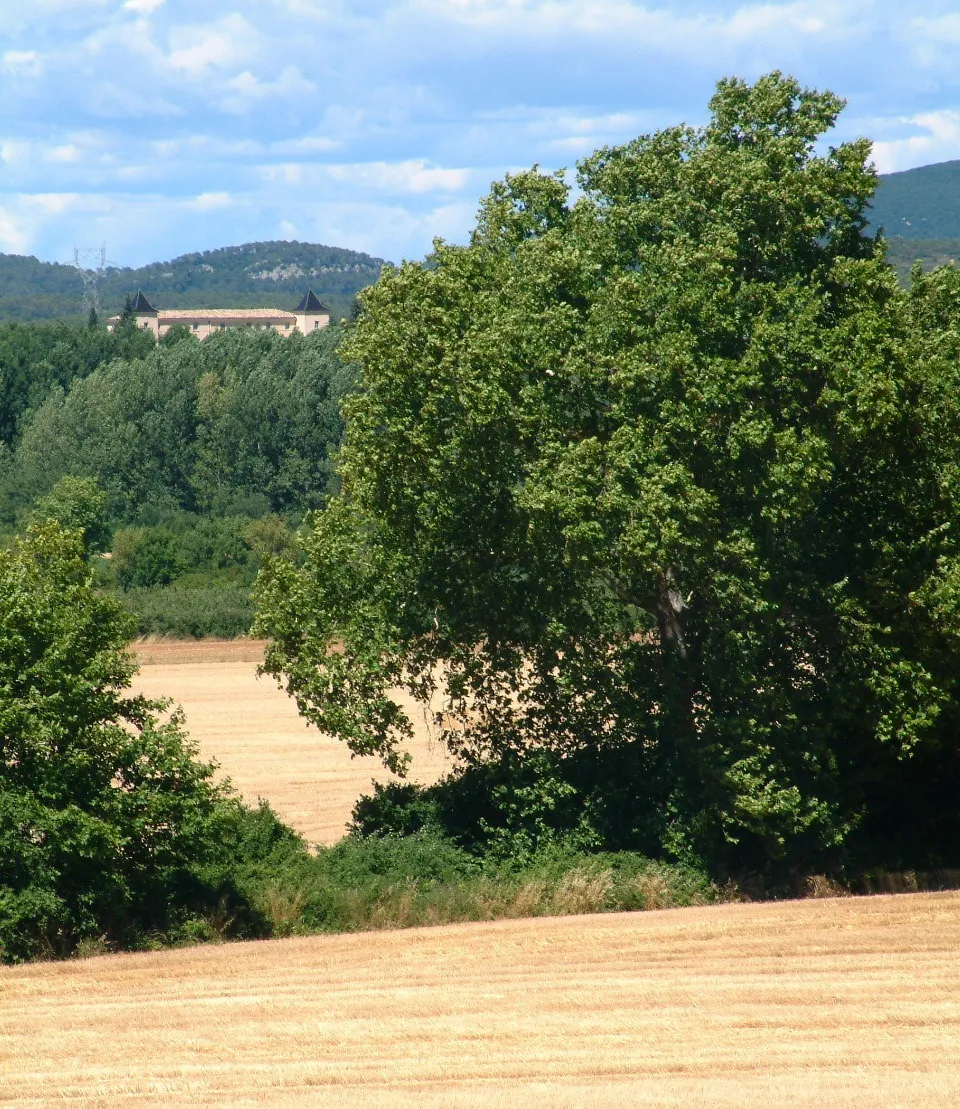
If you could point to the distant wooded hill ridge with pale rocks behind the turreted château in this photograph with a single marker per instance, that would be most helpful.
(253, 276)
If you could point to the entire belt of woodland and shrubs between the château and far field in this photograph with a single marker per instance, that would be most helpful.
(201, 457)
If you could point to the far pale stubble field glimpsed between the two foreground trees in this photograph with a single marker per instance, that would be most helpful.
(253, 730)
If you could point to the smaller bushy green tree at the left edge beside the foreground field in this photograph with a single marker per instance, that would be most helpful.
(107, 819)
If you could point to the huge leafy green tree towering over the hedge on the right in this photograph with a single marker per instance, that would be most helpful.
(656, 491)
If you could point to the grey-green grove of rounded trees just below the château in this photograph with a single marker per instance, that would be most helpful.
(193, 426)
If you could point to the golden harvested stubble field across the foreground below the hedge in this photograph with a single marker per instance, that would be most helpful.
(844, 1003)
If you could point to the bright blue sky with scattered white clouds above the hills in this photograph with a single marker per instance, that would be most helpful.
(161, 127)
